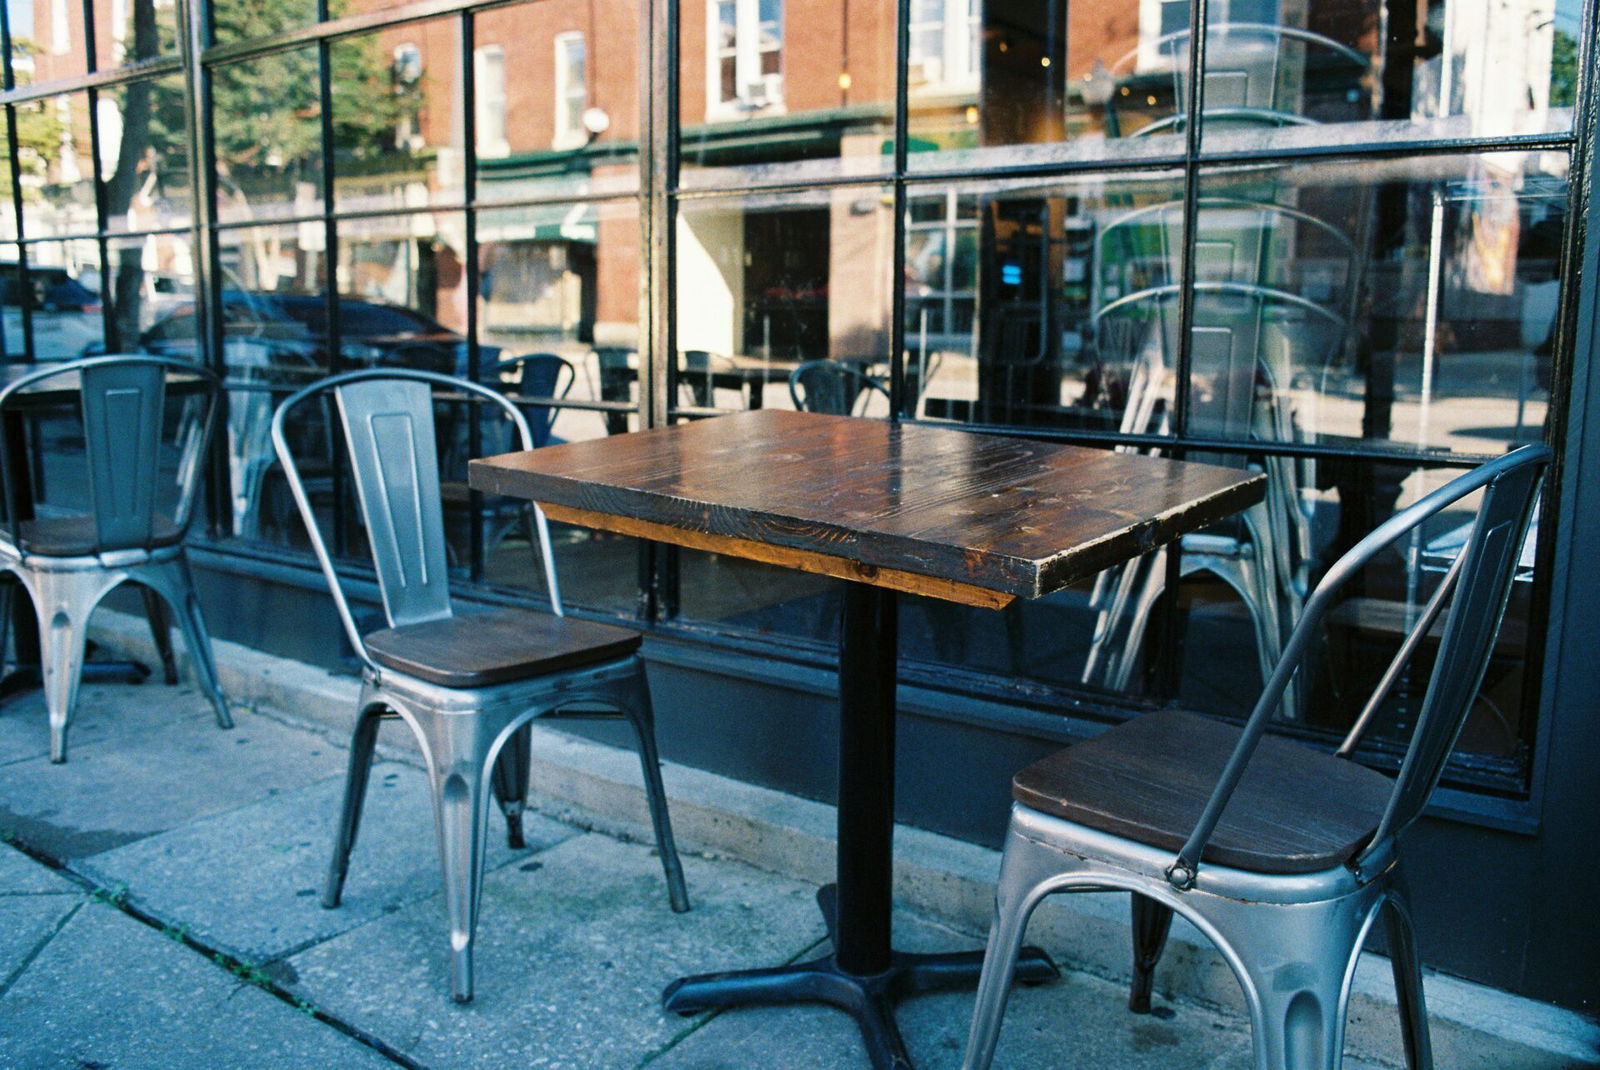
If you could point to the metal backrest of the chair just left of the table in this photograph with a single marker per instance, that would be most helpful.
(388, 423)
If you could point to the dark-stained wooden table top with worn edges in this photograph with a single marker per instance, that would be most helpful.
(930, 511)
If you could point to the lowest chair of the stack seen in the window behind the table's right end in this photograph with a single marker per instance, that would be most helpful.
(1247, 345)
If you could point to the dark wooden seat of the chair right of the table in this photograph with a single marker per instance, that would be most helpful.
(1297, 810)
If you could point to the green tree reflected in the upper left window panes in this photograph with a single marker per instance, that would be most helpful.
(265, 114)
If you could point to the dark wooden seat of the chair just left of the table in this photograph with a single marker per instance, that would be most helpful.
(497, 647)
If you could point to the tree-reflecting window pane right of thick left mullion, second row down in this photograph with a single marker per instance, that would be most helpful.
(268, 137)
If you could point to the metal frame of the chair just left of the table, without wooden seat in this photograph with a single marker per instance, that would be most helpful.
(471, 738)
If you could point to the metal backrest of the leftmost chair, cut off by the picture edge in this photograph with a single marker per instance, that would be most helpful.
(124, 412)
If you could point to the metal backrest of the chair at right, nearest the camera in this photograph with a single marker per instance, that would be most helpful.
(1478, 588)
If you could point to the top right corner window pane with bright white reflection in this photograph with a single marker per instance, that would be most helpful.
(1442, 71)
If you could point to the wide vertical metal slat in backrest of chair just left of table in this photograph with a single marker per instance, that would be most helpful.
(394, 463)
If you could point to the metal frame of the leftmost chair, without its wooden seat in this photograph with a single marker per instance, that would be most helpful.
(66, 589)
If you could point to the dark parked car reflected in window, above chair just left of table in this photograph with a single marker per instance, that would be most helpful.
(290, 332)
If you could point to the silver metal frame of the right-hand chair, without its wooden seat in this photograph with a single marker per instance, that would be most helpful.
(1294, 940)
